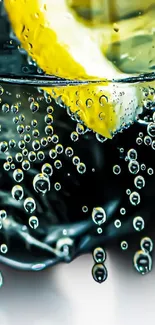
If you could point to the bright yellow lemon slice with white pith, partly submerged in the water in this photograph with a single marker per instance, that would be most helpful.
(63, 46)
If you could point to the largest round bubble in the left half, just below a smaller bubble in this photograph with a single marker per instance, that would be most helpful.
(41, 183)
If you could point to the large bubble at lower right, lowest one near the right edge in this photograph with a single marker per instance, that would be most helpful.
(142, 262)
